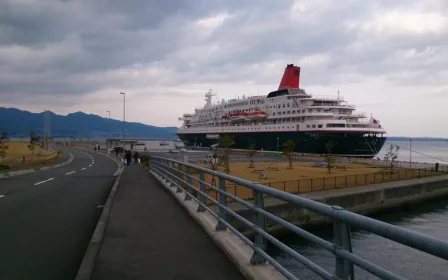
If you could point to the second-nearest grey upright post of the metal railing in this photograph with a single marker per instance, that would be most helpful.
(259, 222)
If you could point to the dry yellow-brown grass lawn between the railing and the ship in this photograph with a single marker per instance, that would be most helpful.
(305, 177)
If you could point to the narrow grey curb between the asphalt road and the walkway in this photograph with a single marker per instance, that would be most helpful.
(86, 268)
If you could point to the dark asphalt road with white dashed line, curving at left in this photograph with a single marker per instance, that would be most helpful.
(47, 218)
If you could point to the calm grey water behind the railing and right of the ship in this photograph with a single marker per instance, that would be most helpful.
(430, 219)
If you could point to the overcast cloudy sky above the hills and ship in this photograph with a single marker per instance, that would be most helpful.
(389, 57)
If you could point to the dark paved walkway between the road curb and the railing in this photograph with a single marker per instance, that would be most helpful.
(150, 236)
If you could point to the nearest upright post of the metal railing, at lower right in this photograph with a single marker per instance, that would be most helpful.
(342, 240)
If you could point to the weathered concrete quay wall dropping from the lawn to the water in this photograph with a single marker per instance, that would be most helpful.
(363, 200)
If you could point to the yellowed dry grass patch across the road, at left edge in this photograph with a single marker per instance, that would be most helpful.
(19, 155)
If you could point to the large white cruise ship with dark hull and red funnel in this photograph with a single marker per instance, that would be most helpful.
(289, 113)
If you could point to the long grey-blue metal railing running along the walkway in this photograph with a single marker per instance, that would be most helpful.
(180, 176)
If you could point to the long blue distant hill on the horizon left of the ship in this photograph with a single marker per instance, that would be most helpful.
(20, 123)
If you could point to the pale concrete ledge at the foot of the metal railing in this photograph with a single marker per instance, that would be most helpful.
(235, 249)
